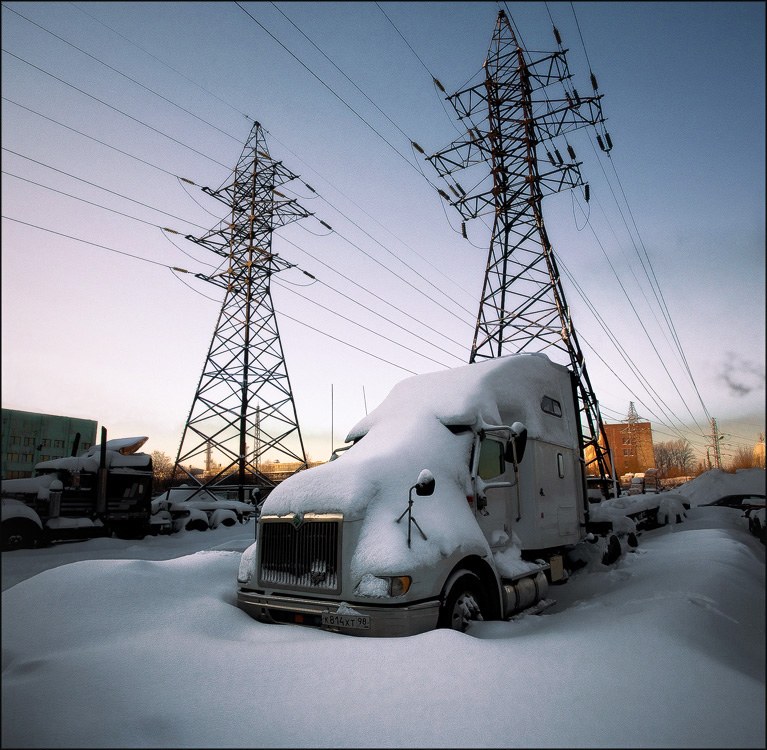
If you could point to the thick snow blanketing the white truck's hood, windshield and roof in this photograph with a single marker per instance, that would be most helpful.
(406, 434)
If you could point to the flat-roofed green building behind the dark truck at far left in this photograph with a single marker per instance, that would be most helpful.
(29, 437)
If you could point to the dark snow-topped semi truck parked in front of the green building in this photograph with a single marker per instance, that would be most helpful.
(107, 489)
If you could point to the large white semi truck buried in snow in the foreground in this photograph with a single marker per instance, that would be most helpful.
(493, 454)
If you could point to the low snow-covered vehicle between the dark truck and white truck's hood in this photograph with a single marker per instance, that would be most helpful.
(192, 508)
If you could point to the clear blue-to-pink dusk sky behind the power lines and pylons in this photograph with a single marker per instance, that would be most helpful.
(114, 335)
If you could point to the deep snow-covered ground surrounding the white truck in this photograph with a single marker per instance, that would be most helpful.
(109, 643)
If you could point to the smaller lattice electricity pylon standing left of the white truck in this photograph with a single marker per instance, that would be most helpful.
(243, 406)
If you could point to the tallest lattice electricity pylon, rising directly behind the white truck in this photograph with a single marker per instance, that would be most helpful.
(508, 116)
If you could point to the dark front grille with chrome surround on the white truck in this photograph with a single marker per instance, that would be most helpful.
(307, 557)
